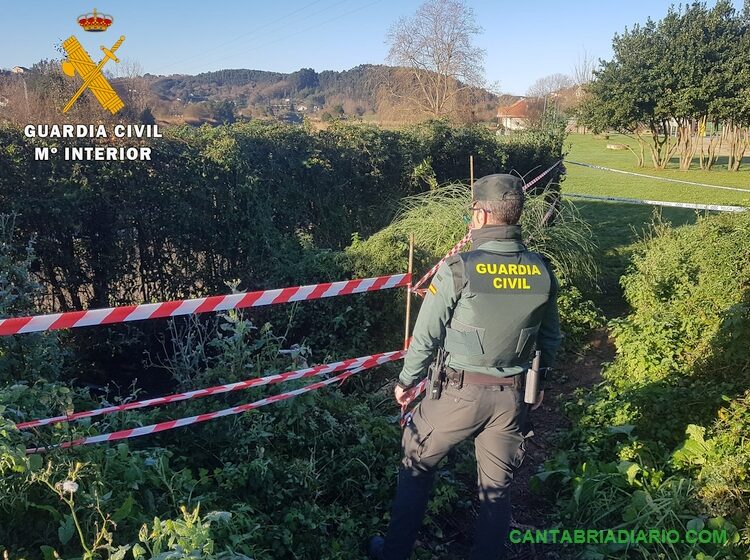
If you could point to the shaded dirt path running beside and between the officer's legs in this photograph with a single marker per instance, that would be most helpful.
(531, 511)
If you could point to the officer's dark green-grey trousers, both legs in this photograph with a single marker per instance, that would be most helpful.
(495, 417)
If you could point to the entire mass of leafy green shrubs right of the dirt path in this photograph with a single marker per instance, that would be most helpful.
(682, 354)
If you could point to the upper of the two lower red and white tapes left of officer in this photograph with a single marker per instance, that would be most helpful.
(364, 362)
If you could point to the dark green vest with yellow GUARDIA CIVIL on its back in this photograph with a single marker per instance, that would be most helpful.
(497, 317)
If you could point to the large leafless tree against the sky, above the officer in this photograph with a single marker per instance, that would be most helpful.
(437, 59)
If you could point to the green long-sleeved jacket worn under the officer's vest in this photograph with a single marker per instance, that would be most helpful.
(444, 294)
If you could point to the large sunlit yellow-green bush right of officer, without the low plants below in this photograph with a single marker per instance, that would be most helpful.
(683, 345)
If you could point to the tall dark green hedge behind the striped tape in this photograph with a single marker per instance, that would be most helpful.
(240, 201)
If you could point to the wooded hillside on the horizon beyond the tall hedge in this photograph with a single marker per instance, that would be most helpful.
(227, 95)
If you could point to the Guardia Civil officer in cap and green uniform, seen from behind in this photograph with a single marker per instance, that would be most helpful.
(487, 309)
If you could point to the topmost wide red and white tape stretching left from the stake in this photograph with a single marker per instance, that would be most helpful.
(110, 315)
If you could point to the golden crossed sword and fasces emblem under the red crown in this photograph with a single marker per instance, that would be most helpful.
(93, 79)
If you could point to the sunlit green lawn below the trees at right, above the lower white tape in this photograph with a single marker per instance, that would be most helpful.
(590, 149)
